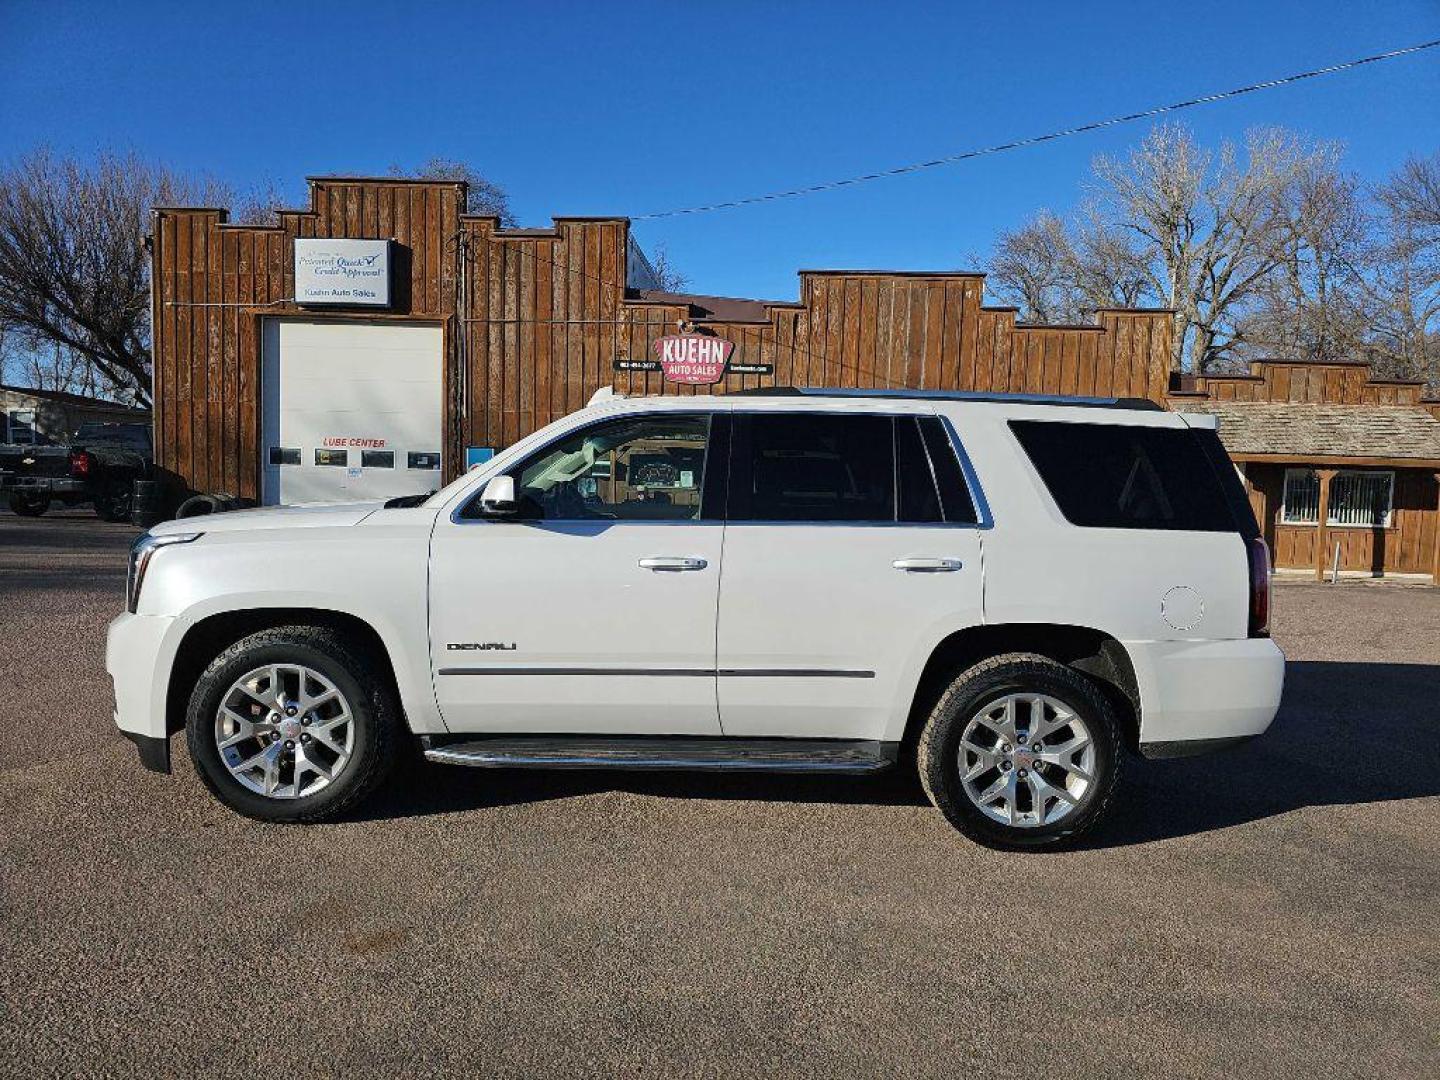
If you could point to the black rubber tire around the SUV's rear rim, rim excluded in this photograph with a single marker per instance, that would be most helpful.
(940, 748)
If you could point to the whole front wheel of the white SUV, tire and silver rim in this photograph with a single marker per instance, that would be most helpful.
(292, 725)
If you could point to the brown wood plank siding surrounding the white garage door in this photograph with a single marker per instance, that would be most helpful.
(214, 283)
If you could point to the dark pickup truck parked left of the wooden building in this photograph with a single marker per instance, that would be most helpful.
(100, 466)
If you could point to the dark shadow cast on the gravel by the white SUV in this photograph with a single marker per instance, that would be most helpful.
(1347, 734)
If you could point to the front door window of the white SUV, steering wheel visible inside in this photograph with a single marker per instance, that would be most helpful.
(642, 469)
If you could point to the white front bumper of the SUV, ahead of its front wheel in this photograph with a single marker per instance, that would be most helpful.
(138, 657)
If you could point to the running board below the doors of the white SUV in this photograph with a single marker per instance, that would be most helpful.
(678, 752)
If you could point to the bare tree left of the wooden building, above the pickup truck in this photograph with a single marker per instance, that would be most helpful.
(74, 271)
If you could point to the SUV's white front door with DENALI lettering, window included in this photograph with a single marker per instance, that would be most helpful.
(594, 611)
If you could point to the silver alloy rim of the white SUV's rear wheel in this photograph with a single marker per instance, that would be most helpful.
(1026, 760)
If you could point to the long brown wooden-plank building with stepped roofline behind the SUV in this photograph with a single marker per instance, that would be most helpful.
(381, 339)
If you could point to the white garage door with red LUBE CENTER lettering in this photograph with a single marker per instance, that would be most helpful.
(351, 411)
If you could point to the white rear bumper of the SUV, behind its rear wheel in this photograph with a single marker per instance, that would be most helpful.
(1199, 696)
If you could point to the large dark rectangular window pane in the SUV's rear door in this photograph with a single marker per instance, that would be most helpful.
(813, 467)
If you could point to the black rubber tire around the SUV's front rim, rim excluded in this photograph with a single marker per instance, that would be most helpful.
(374, 706)
